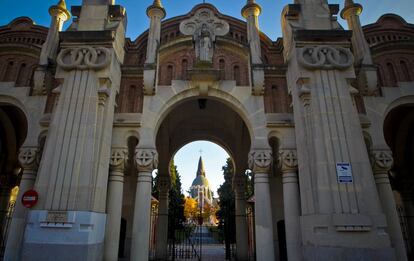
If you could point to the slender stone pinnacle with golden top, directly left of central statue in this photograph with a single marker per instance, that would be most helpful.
(156, 13)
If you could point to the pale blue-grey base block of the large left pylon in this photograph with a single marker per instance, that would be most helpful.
(80, 237)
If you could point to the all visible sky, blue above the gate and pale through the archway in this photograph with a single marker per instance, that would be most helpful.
(214, 156)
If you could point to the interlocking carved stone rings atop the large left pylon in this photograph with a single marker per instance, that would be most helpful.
(84, 58)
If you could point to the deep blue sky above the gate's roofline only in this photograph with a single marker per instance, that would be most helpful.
(138, 21)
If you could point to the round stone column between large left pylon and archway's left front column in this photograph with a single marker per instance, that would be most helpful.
(114, 203)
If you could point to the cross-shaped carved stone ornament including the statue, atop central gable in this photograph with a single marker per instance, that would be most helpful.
(204, 26)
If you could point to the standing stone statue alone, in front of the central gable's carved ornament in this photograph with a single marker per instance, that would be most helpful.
(204, 44)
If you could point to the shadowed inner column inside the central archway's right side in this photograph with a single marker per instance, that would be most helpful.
(239, 186)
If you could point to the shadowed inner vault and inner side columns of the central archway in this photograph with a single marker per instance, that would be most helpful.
(203, 118)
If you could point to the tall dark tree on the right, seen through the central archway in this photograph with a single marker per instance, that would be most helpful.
(226, 213)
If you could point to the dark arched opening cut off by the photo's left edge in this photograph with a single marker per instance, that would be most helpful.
(13, 131)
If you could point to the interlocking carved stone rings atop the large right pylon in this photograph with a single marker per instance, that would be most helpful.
(325, 58)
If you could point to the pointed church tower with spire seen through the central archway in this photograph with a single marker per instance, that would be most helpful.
(200, 188)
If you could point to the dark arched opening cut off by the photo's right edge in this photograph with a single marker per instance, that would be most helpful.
(398, 132)
